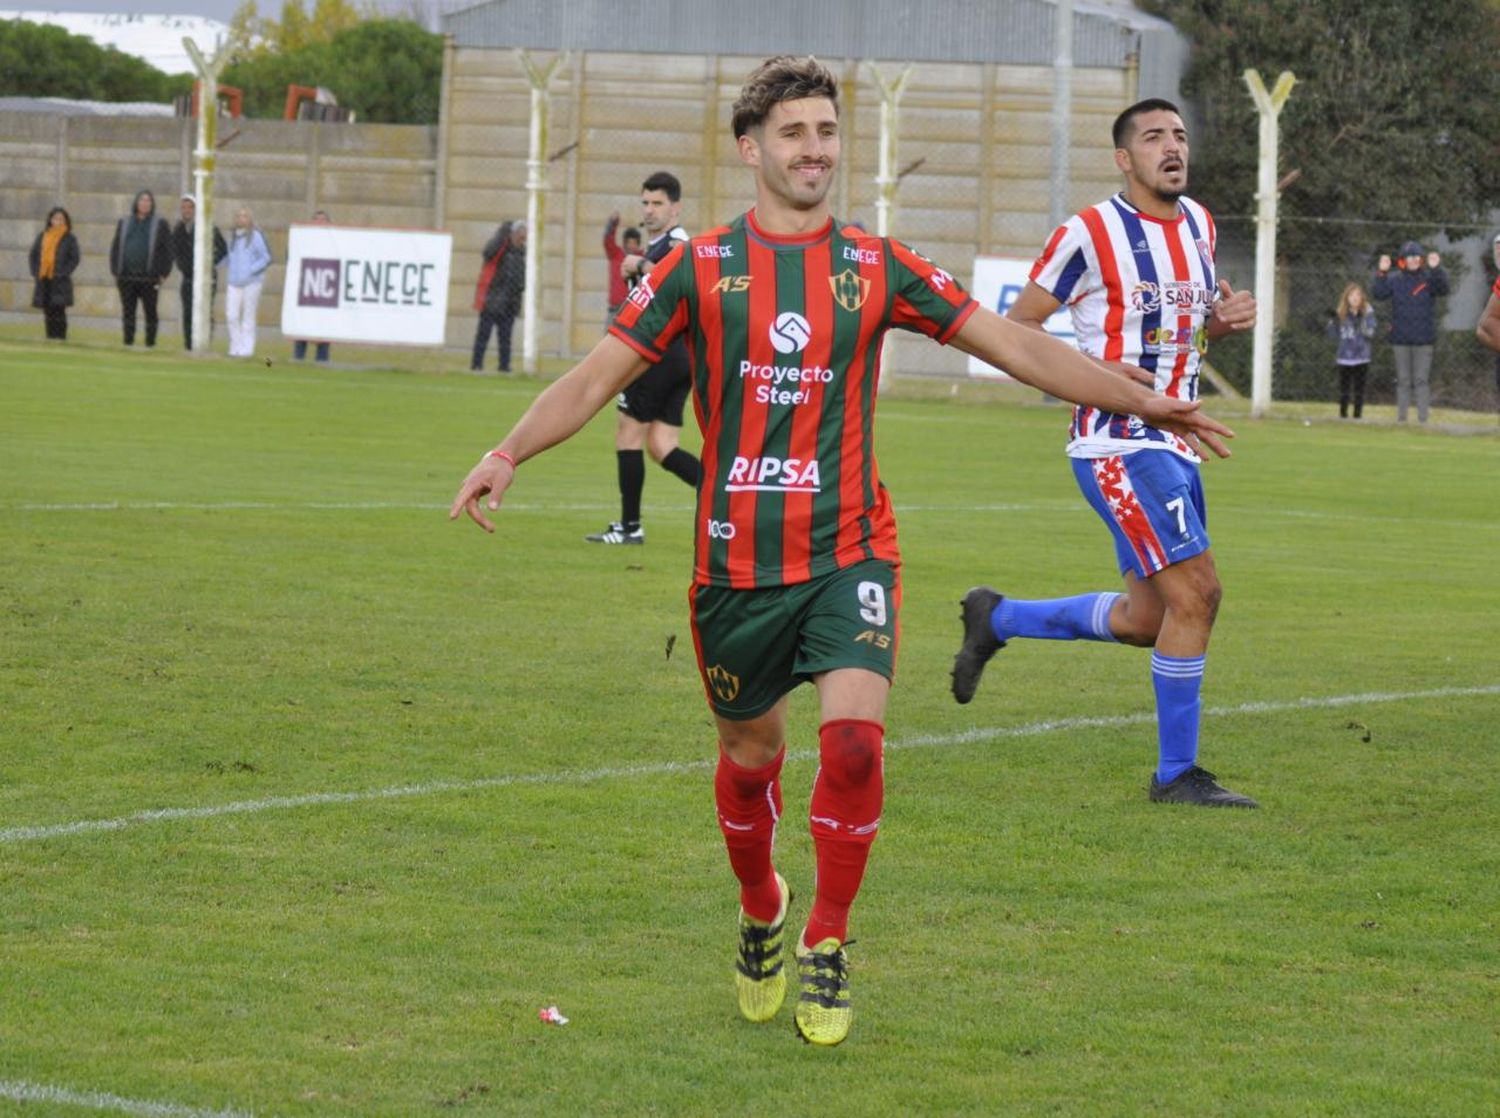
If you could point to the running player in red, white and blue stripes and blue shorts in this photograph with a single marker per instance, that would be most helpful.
(1138, 275)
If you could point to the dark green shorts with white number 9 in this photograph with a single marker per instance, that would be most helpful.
(755, 646)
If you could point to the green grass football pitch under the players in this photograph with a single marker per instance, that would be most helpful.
(310, 799)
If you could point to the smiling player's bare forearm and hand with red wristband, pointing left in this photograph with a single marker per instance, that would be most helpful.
(565, 407)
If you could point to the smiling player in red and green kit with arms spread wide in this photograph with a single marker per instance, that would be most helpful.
(796, 573)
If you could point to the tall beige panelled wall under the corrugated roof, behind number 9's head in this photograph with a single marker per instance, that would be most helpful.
(982, 131)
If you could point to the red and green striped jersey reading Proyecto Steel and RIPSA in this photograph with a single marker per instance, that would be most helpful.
(785, 338)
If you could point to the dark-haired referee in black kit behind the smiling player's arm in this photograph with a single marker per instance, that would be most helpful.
(652, 409)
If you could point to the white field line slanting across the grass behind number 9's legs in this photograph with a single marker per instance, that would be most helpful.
(583, 777)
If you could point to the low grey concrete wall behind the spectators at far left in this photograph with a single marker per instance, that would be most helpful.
(364, 175)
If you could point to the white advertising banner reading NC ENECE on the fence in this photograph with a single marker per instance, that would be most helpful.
(352, 284)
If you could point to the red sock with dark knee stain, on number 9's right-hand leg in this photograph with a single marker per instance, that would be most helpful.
(845, 816)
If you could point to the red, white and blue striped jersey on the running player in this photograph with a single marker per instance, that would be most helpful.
(1141, 290)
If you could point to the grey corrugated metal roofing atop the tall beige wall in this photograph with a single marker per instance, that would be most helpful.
(1018, 32)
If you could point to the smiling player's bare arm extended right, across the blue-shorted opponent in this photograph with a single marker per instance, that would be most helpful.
(1046, 364)
